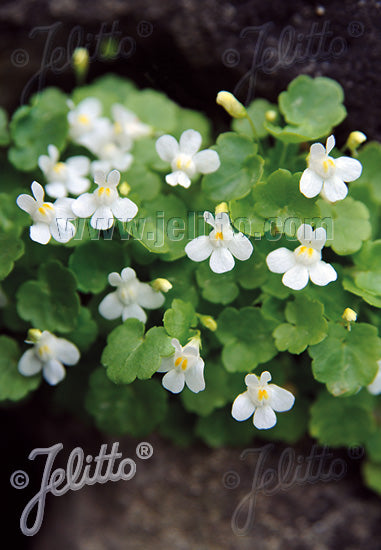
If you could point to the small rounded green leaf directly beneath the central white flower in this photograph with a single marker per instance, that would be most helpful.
(218, 288)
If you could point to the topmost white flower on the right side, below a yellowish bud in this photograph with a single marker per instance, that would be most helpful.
(326, 175)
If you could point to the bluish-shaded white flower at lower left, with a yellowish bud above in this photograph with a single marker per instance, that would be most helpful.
(49, 354)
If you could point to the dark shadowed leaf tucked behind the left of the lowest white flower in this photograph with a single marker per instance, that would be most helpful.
(220, 429)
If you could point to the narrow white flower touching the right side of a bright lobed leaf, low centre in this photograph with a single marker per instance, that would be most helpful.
(184, 367)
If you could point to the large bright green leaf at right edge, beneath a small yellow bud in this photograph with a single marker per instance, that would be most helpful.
(346, 360)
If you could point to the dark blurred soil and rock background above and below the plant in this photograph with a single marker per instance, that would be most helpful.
(190, 49)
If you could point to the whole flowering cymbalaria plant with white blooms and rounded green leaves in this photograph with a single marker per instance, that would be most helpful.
(179, 271)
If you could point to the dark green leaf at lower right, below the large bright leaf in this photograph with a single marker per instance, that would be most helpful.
(346, 421)
